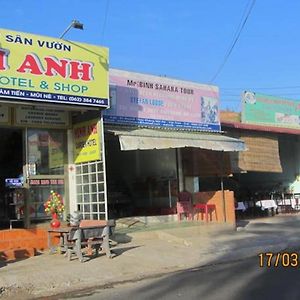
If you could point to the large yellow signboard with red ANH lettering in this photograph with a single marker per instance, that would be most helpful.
(44, 69)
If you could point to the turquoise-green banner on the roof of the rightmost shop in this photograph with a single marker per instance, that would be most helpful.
(268, 110)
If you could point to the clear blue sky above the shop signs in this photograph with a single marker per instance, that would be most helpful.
(186, 40)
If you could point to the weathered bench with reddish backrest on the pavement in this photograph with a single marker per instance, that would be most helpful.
(91, 235)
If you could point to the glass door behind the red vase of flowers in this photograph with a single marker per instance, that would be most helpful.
(46, 164)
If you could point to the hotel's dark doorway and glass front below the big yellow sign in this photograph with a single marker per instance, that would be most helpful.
(32, 163)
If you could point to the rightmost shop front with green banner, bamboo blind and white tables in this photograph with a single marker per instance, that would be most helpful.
(266, 177)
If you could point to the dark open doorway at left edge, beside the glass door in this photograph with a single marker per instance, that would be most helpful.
(11, 167)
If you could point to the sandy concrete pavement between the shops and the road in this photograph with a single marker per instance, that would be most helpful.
(149, 251)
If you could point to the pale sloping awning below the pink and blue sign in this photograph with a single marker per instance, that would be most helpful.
(142, 138)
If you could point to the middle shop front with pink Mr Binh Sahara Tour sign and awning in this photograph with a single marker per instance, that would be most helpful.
(153, 124)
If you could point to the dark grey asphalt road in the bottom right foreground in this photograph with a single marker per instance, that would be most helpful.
(235, 281)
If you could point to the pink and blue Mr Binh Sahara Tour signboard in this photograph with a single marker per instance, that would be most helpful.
(140, 99)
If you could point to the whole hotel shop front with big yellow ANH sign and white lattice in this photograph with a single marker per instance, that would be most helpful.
(52, 93)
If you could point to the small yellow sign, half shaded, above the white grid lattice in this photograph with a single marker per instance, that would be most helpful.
(87, 142)
